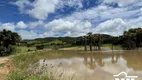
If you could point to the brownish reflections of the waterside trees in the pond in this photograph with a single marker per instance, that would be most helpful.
(92, 60)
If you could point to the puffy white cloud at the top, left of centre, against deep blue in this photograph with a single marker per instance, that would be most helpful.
(41, 8)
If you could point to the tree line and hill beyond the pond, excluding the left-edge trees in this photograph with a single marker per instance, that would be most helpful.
(130, 39)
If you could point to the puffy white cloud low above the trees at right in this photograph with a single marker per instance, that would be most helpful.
(113, 27)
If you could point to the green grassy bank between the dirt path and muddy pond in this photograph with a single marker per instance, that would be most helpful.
(21, 64)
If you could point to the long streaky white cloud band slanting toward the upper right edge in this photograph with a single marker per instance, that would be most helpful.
(104, 12)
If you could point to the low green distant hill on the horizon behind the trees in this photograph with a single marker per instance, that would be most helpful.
(68, 40)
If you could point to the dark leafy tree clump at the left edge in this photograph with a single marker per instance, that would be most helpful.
(7, 39)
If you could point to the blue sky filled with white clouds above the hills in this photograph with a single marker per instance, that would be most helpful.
(53, 18)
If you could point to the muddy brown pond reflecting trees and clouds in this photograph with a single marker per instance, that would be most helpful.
(94, 66)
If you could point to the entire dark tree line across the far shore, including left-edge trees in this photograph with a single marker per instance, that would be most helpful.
(131, 39)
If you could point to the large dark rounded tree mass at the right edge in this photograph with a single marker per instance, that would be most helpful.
(132, 38)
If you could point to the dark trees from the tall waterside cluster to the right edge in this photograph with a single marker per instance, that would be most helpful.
(131, 39)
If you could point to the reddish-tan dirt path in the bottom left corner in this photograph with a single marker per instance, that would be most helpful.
(5, 67)
